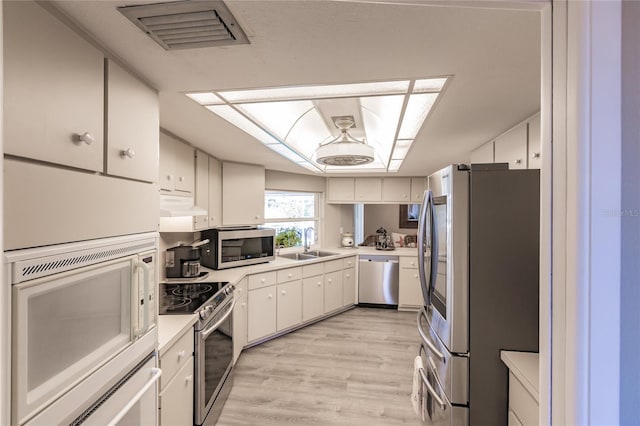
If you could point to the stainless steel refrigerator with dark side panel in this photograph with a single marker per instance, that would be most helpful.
(478, 246)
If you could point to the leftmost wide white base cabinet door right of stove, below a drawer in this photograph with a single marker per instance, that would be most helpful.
(262, 313)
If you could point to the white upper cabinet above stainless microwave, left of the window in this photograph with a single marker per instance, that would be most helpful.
(242, 194)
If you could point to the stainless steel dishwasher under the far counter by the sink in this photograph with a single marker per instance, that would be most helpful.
(378, 279)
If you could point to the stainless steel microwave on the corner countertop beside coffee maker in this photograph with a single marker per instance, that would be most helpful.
(229, 248)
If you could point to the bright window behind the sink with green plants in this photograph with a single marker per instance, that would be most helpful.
(290, 213)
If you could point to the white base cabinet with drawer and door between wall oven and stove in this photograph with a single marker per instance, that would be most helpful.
(176, 382)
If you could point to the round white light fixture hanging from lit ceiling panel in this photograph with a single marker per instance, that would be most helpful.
(344, 150)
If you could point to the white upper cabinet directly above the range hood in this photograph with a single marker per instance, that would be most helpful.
(177, 166)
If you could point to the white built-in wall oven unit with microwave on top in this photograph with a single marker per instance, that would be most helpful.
(83, 332)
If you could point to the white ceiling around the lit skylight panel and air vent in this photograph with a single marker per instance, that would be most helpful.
(493, 55)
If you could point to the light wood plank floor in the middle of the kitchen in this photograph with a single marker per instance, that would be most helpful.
(352, 369)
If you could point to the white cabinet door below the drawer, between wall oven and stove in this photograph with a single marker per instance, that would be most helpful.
(176, 400)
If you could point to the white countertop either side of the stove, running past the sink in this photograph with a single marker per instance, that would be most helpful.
(172, 327)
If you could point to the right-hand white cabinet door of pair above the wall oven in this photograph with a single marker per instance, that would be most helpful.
(133, 126)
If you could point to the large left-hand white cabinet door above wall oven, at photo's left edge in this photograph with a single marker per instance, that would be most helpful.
(53, 90)
